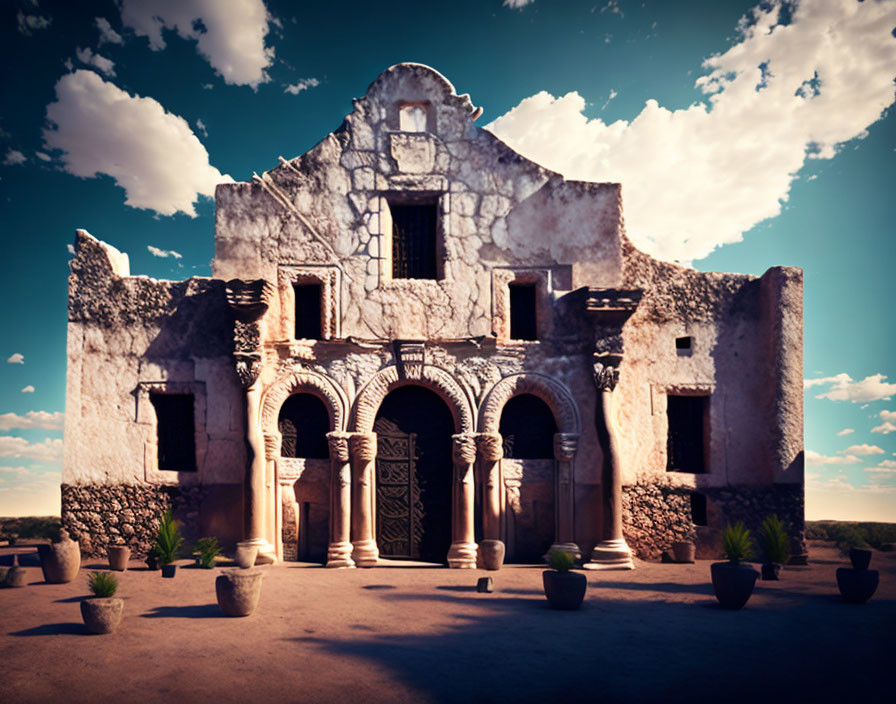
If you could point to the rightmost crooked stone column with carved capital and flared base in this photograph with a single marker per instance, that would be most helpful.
(612, 552)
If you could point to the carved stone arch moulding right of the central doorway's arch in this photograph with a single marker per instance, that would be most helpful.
(553, 393)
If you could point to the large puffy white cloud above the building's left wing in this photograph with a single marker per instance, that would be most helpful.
(151, 153)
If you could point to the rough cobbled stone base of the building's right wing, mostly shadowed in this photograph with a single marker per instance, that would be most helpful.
(655, 515)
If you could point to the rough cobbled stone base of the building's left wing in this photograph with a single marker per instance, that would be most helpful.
(99, 515)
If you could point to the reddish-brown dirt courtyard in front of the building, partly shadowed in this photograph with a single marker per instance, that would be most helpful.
(404, 634)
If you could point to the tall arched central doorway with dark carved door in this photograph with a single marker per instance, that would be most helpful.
(413, 475)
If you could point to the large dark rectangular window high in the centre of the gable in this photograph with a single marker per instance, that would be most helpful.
(414, 228)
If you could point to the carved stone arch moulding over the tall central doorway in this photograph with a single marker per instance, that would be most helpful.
(433, 378)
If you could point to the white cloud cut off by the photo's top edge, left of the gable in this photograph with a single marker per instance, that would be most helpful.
(229, 35)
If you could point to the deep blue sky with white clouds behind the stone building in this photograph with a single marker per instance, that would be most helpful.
(744, 138)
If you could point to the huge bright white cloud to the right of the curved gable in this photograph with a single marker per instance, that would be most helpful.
(697, 178)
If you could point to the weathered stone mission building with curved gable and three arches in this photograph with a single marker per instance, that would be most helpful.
(414, 338)
